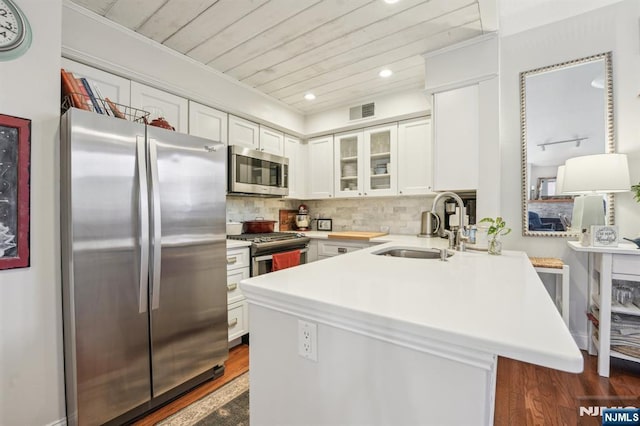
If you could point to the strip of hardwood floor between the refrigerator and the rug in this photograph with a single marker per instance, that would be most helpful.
(236, 365)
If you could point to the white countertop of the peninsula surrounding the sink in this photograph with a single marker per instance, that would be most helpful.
(494, 304)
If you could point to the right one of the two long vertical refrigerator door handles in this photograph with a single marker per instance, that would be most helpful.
(156, 238)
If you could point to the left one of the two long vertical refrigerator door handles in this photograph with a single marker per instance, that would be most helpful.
(143, 217)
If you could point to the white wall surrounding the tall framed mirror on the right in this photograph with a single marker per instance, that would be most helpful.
(613, 28)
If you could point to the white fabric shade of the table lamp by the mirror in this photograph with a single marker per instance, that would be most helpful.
(599, 173)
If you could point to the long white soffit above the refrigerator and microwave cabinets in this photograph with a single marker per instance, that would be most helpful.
(89, 38)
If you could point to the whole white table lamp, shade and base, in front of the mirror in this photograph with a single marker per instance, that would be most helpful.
(590, 176)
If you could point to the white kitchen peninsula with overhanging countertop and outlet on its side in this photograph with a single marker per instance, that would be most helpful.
(397, 340)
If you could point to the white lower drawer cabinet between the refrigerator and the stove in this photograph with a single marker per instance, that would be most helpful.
(238, 311)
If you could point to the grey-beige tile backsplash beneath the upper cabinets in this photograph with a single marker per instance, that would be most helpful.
(401, 214)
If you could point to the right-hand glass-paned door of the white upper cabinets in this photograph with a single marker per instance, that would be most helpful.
(380, 161)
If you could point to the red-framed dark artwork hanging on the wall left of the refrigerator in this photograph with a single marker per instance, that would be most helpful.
(15, 152)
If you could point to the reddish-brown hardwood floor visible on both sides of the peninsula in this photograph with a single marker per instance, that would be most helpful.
(526, 394)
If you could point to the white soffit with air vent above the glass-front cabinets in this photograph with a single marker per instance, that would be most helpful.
(407, 104)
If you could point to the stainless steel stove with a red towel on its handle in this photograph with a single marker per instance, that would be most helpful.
(263, 246)
